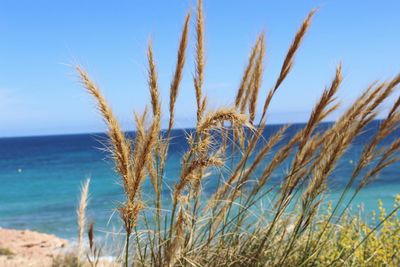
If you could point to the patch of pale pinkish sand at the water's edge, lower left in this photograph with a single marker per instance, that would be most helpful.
(29, 248)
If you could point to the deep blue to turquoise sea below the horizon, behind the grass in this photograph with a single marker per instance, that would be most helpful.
(40, 179)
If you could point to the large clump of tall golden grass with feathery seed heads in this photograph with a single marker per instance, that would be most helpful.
(231, 227)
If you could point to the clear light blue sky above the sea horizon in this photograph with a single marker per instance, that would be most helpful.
(42, 41)
